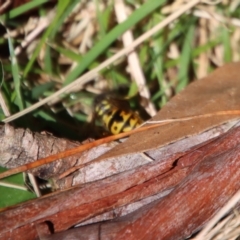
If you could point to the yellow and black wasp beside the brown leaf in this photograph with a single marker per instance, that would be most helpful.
(116, 115)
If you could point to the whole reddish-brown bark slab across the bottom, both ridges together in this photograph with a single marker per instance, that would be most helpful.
(214, 179)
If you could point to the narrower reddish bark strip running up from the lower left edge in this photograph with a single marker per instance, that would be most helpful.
(70, 207)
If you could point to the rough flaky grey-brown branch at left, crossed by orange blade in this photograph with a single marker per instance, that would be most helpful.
(21, 146)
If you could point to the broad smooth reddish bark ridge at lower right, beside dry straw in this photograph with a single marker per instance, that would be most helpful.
(212, 182)
